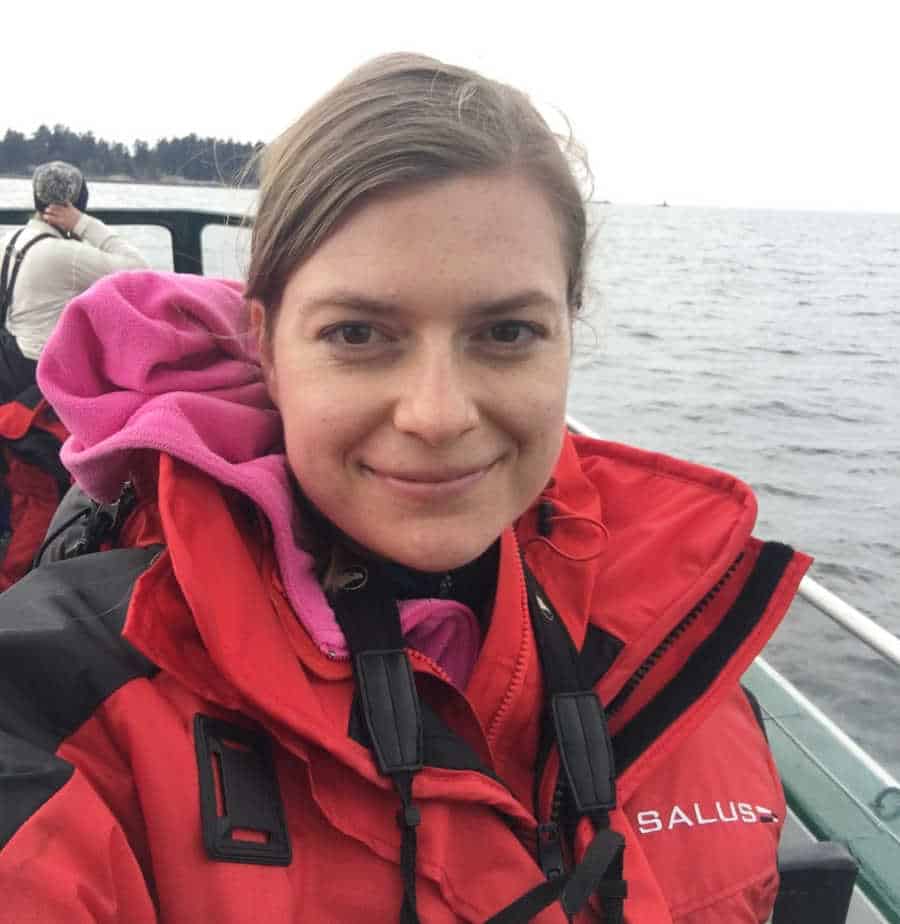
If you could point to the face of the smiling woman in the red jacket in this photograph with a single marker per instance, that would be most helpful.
(420, 362)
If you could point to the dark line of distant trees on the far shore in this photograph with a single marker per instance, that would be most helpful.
(189, 158)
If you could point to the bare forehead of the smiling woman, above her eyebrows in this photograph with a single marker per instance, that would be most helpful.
(475, 236)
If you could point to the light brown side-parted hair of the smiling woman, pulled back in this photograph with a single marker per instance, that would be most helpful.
(397, 120)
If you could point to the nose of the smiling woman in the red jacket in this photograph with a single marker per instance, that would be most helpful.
(437, 401)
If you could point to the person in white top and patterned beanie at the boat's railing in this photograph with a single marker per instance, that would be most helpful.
(60, 253)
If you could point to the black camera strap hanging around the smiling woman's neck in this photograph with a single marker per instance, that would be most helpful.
(370, 621)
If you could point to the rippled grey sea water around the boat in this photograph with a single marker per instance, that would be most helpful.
(766, 343)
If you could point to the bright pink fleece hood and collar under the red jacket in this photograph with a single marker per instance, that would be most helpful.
(164, 362)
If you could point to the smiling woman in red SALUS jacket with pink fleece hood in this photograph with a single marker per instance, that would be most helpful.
(350, 656)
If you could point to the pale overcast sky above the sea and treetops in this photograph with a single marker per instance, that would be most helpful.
(790, 104)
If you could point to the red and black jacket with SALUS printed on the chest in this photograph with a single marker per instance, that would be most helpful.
(105, 780)
